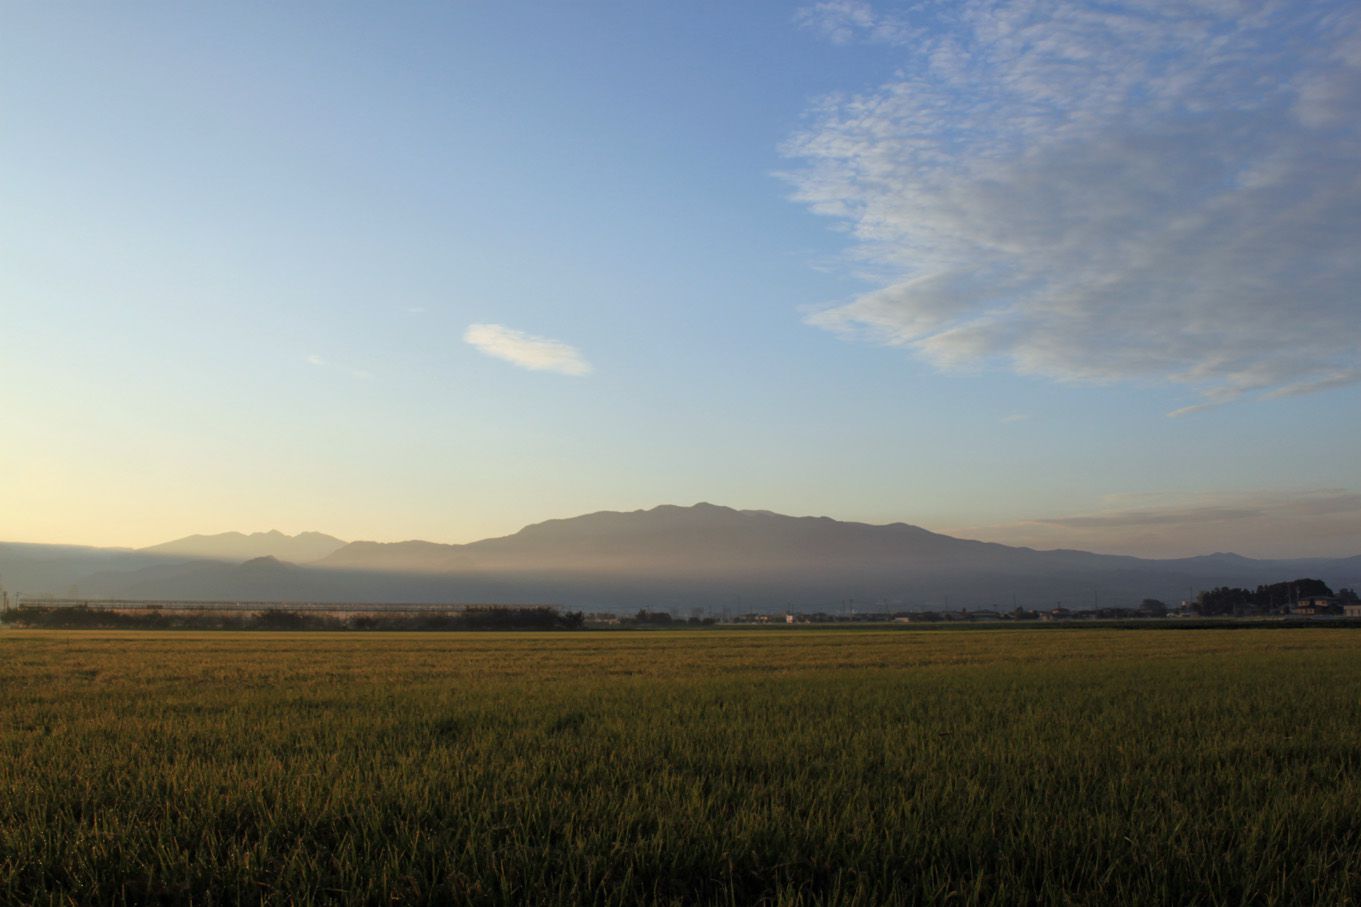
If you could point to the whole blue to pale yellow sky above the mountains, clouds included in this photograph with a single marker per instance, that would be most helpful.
(1043, 273)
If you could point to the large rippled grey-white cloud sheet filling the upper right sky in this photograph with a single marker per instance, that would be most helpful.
(1103, 194)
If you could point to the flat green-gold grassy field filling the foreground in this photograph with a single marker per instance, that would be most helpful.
(1080, 766)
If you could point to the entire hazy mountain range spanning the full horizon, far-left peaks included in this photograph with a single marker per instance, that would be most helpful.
(677, 558)
